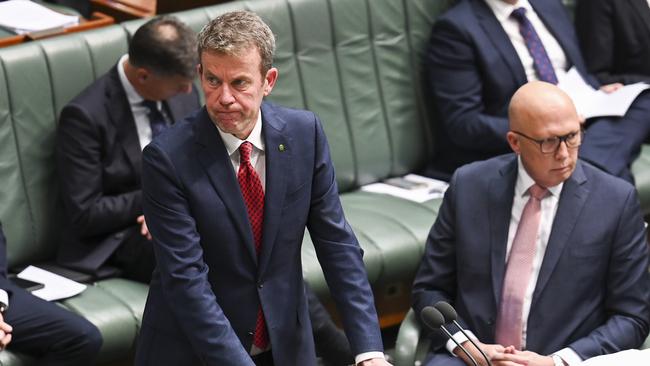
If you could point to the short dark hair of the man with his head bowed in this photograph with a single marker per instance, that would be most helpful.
(165, 46)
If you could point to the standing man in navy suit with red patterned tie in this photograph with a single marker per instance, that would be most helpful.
(227, 196)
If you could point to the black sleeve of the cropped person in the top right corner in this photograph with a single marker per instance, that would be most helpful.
(595, 26)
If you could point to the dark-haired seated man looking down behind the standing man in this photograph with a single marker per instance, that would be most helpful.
(100, 138)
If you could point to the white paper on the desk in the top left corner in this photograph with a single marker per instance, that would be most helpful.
(24, 16)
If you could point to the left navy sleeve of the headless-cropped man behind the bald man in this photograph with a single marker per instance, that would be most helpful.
(458, 91)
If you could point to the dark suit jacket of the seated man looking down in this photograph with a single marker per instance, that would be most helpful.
(99, 162)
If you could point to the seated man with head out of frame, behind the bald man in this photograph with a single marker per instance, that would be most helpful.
(478, 58)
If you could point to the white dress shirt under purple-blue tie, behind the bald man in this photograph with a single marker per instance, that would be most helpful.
(502, 11)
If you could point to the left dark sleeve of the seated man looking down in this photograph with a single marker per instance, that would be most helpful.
(79, 162)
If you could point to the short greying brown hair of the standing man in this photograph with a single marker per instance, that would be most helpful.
(235, 32)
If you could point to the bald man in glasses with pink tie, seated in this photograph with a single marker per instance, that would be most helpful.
(578, 285)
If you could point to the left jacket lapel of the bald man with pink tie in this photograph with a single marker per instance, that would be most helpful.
(501, 196)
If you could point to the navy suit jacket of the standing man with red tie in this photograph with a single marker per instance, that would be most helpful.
(209, 283)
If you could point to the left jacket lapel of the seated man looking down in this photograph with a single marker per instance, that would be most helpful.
(119, 110)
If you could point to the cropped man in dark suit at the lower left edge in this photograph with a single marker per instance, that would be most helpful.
(43, 330)
